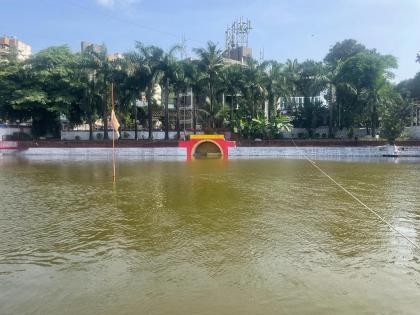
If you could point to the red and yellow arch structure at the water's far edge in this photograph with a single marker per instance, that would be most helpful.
(205, 142)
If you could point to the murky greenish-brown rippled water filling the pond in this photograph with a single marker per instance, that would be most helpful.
(207, 237)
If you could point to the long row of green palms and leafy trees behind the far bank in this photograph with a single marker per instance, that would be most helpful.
(254, 99)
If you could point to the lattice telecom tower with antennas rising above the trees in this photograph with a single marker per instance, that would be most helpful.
(237, 40)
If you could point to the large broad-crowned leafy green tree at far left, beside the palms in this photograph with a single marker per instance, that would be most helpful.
(43, 89)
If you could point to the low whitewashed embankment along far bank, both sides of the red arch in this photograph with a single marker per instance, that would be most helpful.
(244, 148)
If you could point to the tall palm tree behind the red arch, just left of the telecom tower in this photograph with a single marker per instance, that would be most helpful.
(211, 64)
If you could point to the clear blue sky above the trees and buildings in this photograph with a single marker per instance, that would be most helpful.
(282, 29)
